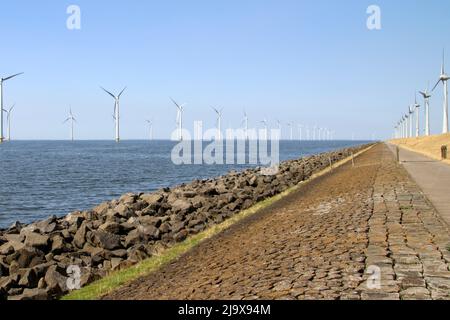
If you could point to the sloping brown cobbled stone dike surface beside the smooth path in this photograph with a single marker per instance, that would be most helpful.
(365, 232)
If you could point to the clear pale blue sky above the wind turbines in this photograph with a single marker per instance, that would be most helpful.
(312, 62)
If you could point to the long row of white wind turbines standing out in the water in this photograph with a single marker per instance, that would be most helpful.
(317, 133)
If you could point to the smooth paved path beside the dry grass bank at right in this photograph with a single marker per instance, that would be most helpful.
(432, 176)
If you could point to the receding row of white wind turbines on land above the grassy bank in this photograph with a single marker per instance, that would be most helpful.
(405, 126)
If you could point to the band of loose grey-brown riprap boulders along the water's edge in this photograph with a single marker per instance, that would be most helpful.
(35, 259)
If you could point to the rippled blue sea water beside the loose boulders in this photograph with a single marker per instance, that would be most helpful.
(39, 179)
